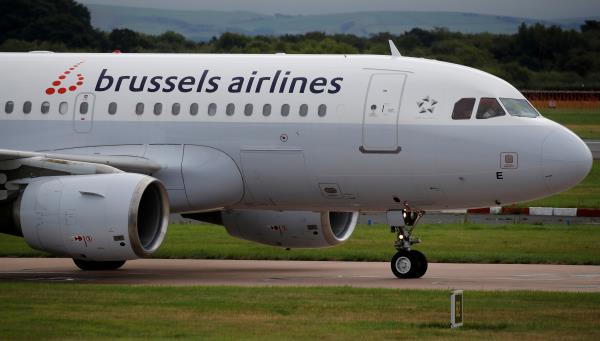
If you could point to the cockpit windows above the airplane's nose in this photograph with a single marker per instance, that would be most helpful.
(490, 107)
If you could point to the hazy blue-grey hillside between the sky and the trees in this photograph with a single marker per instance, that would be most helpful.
(203, 25)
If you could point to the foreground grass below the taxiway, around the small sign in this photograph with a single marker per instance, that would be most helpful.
(57, 311)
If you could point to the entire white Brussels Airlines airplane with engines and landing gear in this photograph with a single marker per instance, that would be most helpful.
(283, 150)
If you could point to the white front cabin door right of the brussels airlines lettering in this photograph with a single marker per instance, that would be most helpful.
(382, 106)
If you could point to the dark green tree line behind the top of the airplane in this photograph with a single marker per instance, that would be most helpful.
(535, 57)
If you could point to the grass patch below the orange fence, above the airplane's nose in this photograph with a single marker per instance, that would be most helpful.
(583, 122)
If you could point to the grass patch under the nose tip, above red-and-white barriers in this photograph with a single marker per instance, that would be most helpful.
(585, 194)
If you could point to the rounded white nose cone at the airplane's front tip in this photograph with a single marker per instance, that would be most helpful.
(566, 160)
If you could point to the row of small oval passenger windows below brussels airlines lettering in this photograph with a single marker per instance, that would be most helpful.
(157, 109)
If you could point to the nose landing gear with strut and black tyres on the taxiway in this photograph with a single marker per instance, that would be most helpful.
(406, 263)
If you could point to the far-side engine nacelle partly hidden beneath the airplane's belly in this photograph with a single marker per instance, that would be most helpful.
(291, 229)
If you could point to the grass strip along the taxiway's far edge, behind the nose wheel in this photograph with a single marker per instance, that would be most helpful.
(561, 244)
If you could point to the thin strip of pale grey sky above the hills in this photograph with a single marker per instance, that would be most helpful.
(538, 9)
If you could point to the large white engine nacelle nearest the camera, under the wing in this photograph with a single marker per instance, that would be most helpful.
(101, 217)
